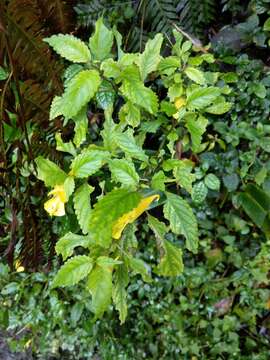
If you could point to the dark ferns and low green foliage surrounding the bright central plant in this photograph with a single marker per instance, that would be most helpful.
(219, 307)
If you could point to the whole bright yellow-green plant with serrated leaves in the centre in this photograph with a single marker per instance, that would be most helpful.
(154, 110)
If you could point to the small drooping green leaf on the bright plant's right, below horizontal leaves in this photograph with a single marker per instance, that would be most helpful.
(196, 128)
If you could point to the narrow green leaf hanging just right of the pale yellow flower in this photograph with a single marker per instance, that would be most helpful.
(82, 206)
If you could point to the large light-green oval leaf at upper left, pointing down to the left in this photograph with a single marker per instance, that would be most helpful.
(79, 91)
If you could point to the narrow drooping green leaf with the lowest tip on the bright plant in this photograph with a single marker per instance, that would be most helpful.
(119, 293)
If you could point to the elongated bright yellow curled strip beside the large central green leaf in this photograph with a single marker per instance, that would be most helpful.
(131, 216)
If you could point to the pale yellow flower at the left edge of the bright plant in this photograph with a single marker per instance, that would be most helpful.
(56, 205)
